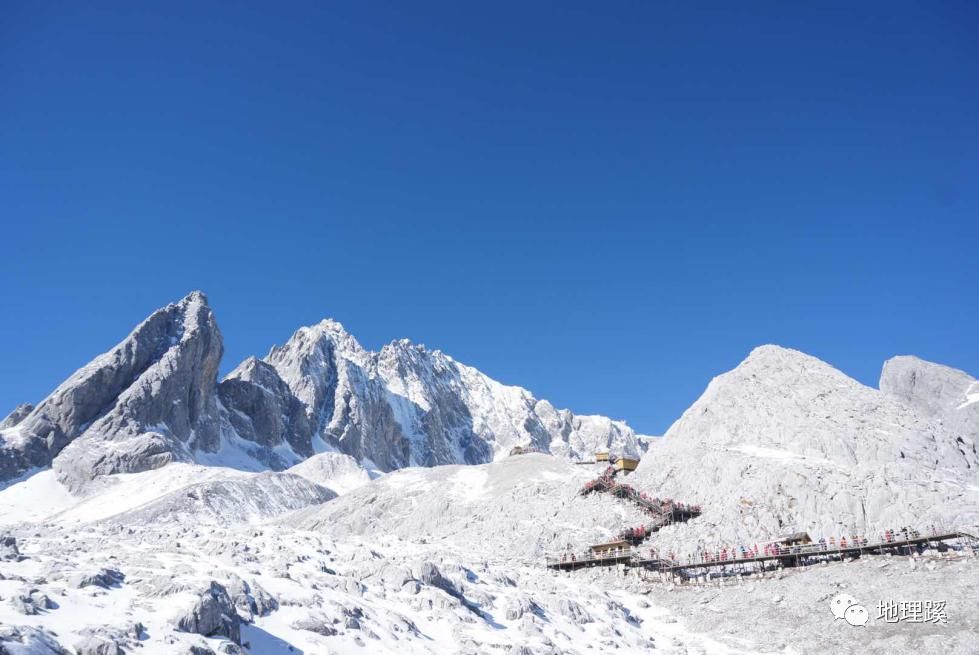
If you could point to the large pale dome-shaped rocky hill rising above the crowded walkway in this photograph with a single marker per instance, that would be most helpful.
(787, 443)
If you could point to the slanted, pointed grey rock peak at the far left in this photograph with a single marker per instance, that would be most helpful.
(148, 401)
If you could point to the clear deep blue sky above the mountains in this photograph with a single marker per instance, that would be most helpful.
(607, 203)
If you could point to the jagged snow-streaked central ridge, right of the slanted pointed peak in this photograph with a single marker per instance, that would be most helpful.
(408, 406)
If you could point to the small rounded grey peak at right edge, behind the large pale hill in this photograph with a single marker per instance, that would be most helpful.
(934, 390)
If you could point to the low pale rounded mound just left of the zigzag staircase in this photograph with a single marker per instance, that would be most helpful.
(522, 506)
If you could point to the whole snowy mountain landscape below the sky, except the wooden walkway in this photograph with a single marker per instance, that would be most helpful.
(194, 547)
